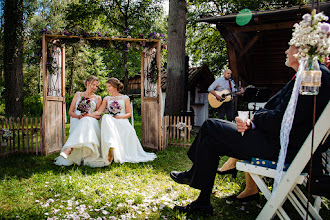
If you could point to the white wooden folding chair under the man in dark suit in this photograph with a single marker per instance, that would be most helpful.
(288, 186)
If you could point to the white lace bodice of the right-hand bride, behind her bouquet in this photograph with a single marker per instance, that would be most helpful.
(116, 104)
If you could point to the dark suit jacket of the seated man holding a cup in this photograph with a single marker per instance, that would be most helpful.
(269, 118)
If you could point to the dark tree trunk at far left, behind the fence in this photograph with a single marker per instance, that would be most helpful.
(13, 57)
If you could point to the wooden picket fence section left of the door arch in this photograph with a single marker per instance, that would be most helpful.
(21, 135)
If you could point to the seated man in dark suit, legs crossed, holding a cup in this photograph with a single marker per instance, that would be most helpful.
(261, 139)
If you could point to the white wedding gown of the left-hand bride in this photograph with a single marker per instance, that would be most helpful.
(84, 139)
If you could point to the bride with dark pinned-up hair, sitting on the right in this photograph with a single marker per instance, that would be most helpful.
(119, 141)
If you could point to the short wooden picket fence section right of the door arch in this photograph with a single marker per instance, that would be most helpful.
(176, 130)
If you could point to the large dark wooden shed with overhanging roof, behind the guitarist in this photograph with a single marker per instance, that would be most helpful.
(256, 50)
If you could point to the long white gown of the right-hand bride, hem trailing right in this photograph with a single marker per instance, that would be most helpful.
(120, 135)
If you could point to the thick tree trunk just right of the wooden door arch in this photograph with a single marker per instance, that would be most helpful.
(176, 57)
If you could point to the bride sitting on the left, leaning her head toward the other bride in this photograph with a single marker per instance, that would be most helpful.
(83, 144)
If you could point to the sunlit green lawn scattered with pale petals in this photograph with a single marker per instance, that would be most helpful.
(32, 187)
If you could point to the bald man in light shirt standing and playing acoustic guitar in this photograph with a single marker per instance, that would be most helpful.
(221, 89)
